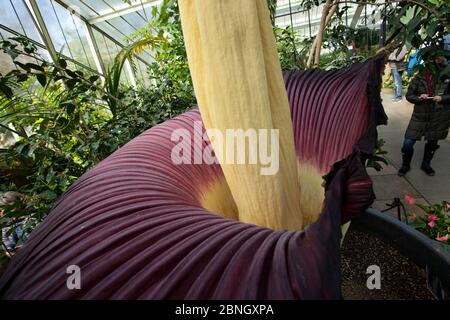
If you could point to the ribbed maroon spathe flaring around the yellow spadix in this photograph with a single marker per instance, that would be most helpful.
(135, 226)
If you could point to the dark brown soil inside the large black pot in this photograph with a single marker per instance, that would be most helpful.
(401, 279)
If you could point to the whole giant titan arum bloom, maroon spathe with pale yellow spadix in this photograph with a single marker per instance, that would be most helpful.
(140, 226)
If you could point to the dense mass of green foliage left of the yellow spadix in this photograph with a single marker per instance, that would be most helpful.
(66, 121)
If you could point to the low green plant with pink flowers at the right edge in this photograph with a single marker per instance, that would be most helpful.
(434, 222)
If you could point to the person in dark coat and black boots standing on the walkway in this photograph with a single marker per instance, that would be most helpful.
(429, 90)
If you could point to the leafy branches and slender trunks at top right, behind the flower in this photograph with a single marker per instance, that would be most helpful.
(410, 22)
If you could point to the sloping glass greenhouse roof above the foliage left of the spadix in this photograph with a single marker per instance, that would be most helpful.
(66, 21)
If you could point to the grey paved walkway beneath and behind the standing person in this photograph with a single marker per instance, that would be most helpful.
(416, 183)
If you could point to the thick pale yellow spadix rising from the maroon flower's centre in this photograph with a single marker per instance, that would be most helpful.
(238, 83)
